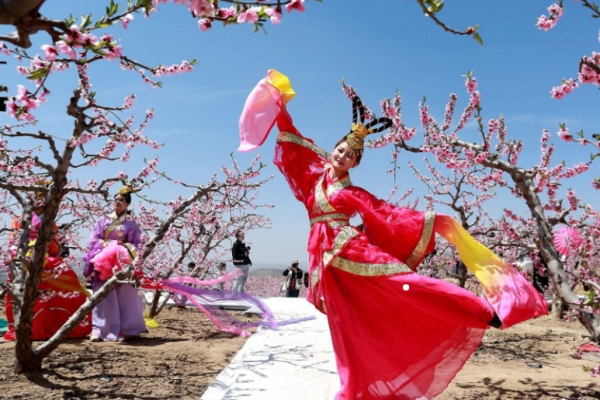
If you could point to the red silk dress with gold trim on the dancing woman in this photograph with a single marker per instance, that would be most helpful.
(396, 334)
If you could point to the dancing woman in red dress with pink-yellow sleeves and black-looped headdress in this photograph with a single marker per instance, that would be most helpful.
(396, 334)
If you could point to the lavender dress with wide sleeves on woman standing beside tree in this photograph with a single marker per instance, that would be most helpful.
(121, 313)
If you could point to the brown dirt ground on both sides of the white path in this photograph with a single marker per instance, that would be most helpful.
(182, 357)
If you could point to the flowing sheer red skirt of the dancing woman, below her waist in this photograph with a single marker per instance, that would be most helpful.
(403, 336)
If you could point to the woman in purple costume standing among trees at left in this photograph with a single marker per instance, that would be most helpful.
(121, 314)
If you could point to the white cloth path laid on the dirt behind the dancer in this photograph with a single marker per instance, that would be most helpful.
(295, 361)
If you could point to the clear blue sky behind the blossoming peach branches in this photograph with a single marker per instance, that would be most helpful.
(379, 48)
